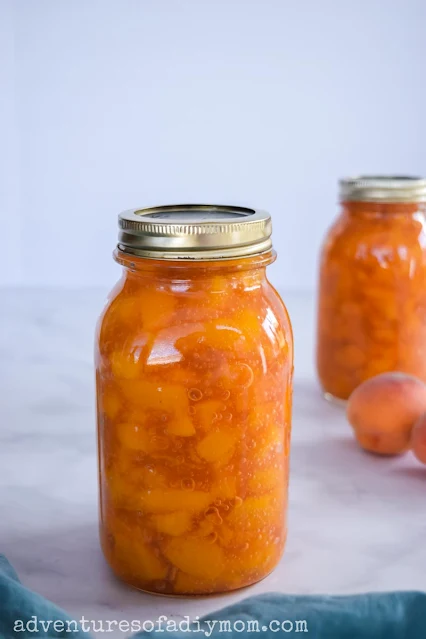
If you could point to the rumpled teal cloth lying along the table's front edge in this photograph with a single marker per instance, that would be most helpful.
(394, 615)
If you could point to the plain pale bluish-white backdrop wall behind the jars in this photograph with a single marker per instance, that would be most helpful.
(110, 104)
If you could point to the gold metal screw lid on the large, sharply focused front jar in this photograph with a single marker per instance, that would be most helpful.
(194, 232)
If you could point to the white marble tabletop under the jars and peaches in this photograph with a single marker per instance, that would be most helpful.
(357, 522)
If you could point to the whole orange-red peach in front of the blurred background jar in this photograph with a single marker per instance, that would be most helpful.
(383, 410)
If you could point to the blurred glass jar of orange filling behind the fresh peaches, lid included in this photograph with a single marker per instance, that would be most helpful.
(372, 288)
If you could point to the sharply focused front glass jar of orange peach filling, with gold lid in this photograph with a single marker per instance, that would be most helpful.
(194, 364)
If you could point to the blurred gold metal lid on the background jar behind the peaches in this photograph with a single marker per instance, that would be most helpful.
(383, 188)
